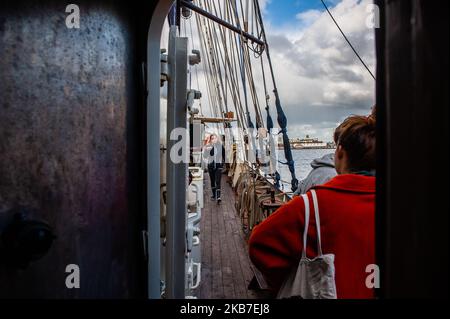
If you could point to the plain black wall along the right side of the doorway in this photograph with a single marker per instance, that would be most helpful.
(413, 139)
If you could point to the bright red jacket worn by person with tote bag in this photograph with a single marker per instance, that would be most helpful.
(347, 218)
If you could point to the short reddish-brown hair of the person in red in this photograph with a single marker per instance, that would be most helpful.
(357, 136)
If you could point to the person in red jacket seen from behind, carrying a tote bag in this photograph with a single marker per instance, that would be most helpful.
(347, 218)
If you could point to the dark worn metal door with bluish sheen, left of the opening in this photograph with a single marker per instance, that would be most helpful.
(71, 123)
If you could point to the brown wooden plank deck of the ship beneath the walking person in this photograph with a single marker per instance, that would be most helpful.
(226, 267)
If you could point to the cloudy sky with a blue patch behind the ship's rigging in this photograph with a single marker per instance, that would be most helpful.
(319, 78)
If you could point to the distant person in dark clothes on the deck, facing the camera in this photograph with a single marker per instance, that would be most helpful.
(215, 153)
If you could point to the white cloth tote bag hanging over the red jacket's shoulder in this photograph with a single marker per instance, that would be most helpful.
(313, 278)
